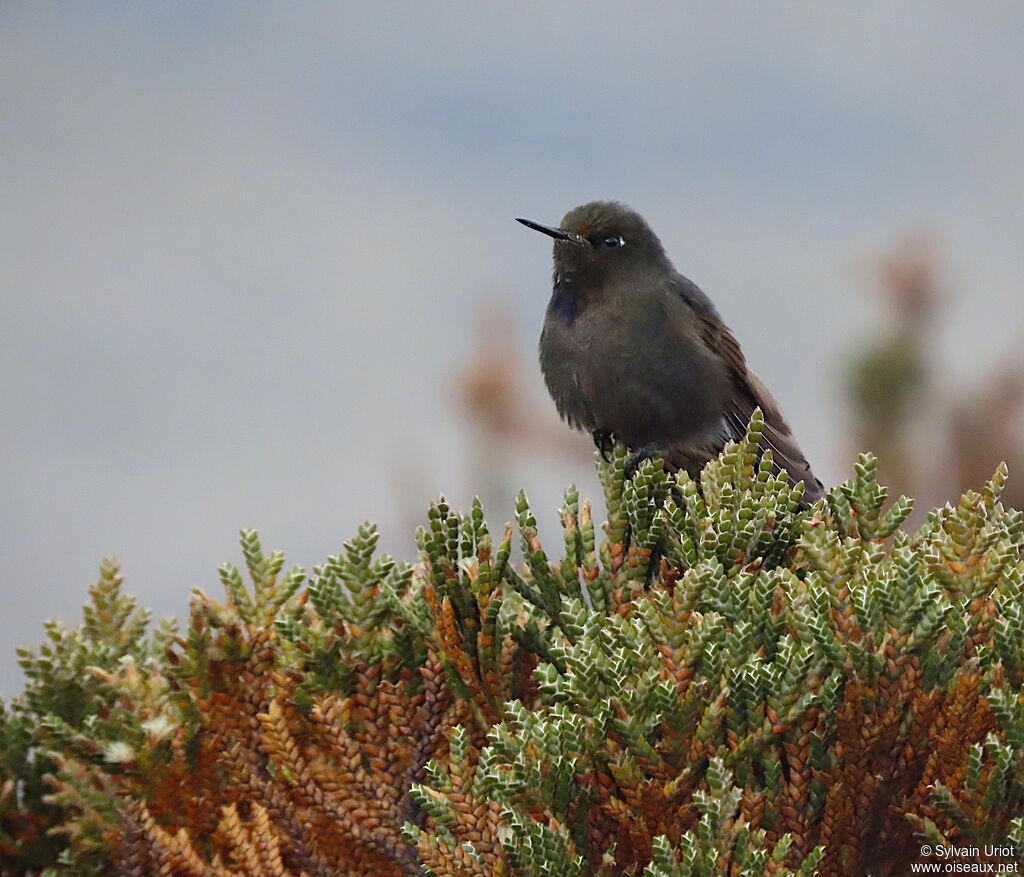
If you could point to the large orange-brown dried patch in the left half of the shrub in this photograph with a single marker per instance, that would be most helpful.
(271, 790)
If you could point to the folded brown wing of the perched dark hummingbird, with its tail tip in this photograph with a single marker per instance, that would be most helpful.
(750, 393)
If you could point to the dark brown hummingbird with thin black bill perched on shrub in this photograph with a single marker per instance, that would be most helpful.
(633, 351)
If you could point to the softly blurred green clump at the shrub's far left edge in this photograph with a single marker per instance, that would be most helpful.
(70, 720)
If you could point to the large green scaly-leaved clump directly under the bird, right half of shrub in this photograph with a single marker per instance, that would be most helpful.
(776, 611)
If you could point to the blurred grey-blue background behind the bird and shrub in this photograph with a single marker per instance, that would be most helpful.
(259, 264)
